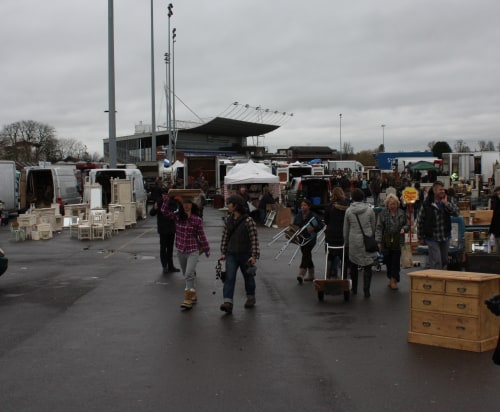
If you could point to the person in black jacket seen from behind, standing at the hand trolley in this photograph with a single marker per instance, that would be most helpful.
(334, 220)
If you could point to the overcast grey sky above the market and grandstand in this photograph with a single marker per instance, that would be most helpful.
(428, 70)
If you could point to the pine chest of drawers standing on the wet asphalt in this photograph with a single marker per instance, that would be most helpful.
(447, 309)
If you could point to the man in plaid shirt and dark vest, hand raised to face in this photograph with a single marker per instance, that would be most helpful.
(434, 225)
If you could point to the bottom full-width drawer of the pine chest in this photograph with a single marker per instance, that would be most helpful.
(455, 326)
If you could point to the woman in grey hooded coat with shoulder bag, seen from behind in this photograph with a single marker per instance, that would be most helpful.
(353, 238)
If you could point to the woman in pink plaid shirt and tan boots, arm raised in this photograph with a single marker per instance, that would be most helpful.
(190, 243)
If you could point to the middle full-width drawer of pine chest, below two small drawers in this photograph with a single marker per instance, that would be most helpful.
(444, 304)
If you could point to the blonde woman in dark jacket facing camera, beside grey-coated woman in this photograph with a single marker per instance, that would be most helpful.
(392, 225)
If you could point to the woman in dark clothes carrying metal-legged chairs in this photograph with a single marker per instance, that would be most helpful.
(313, 224)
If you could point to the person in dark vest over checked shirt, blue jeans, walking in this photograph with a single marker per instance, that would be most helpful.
(240, 250)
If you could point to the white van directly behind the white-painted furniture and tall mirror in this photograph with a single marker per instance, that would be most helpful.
(104, 176)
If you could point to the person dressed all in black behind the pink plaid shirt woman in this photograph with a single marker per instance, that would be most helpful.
(166, 230)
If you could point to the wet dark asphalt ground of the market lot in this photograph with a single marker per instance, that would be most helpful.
(95, 326)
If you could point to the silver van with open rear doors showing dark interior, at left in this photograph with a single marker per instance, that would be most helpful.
(44, 186)
